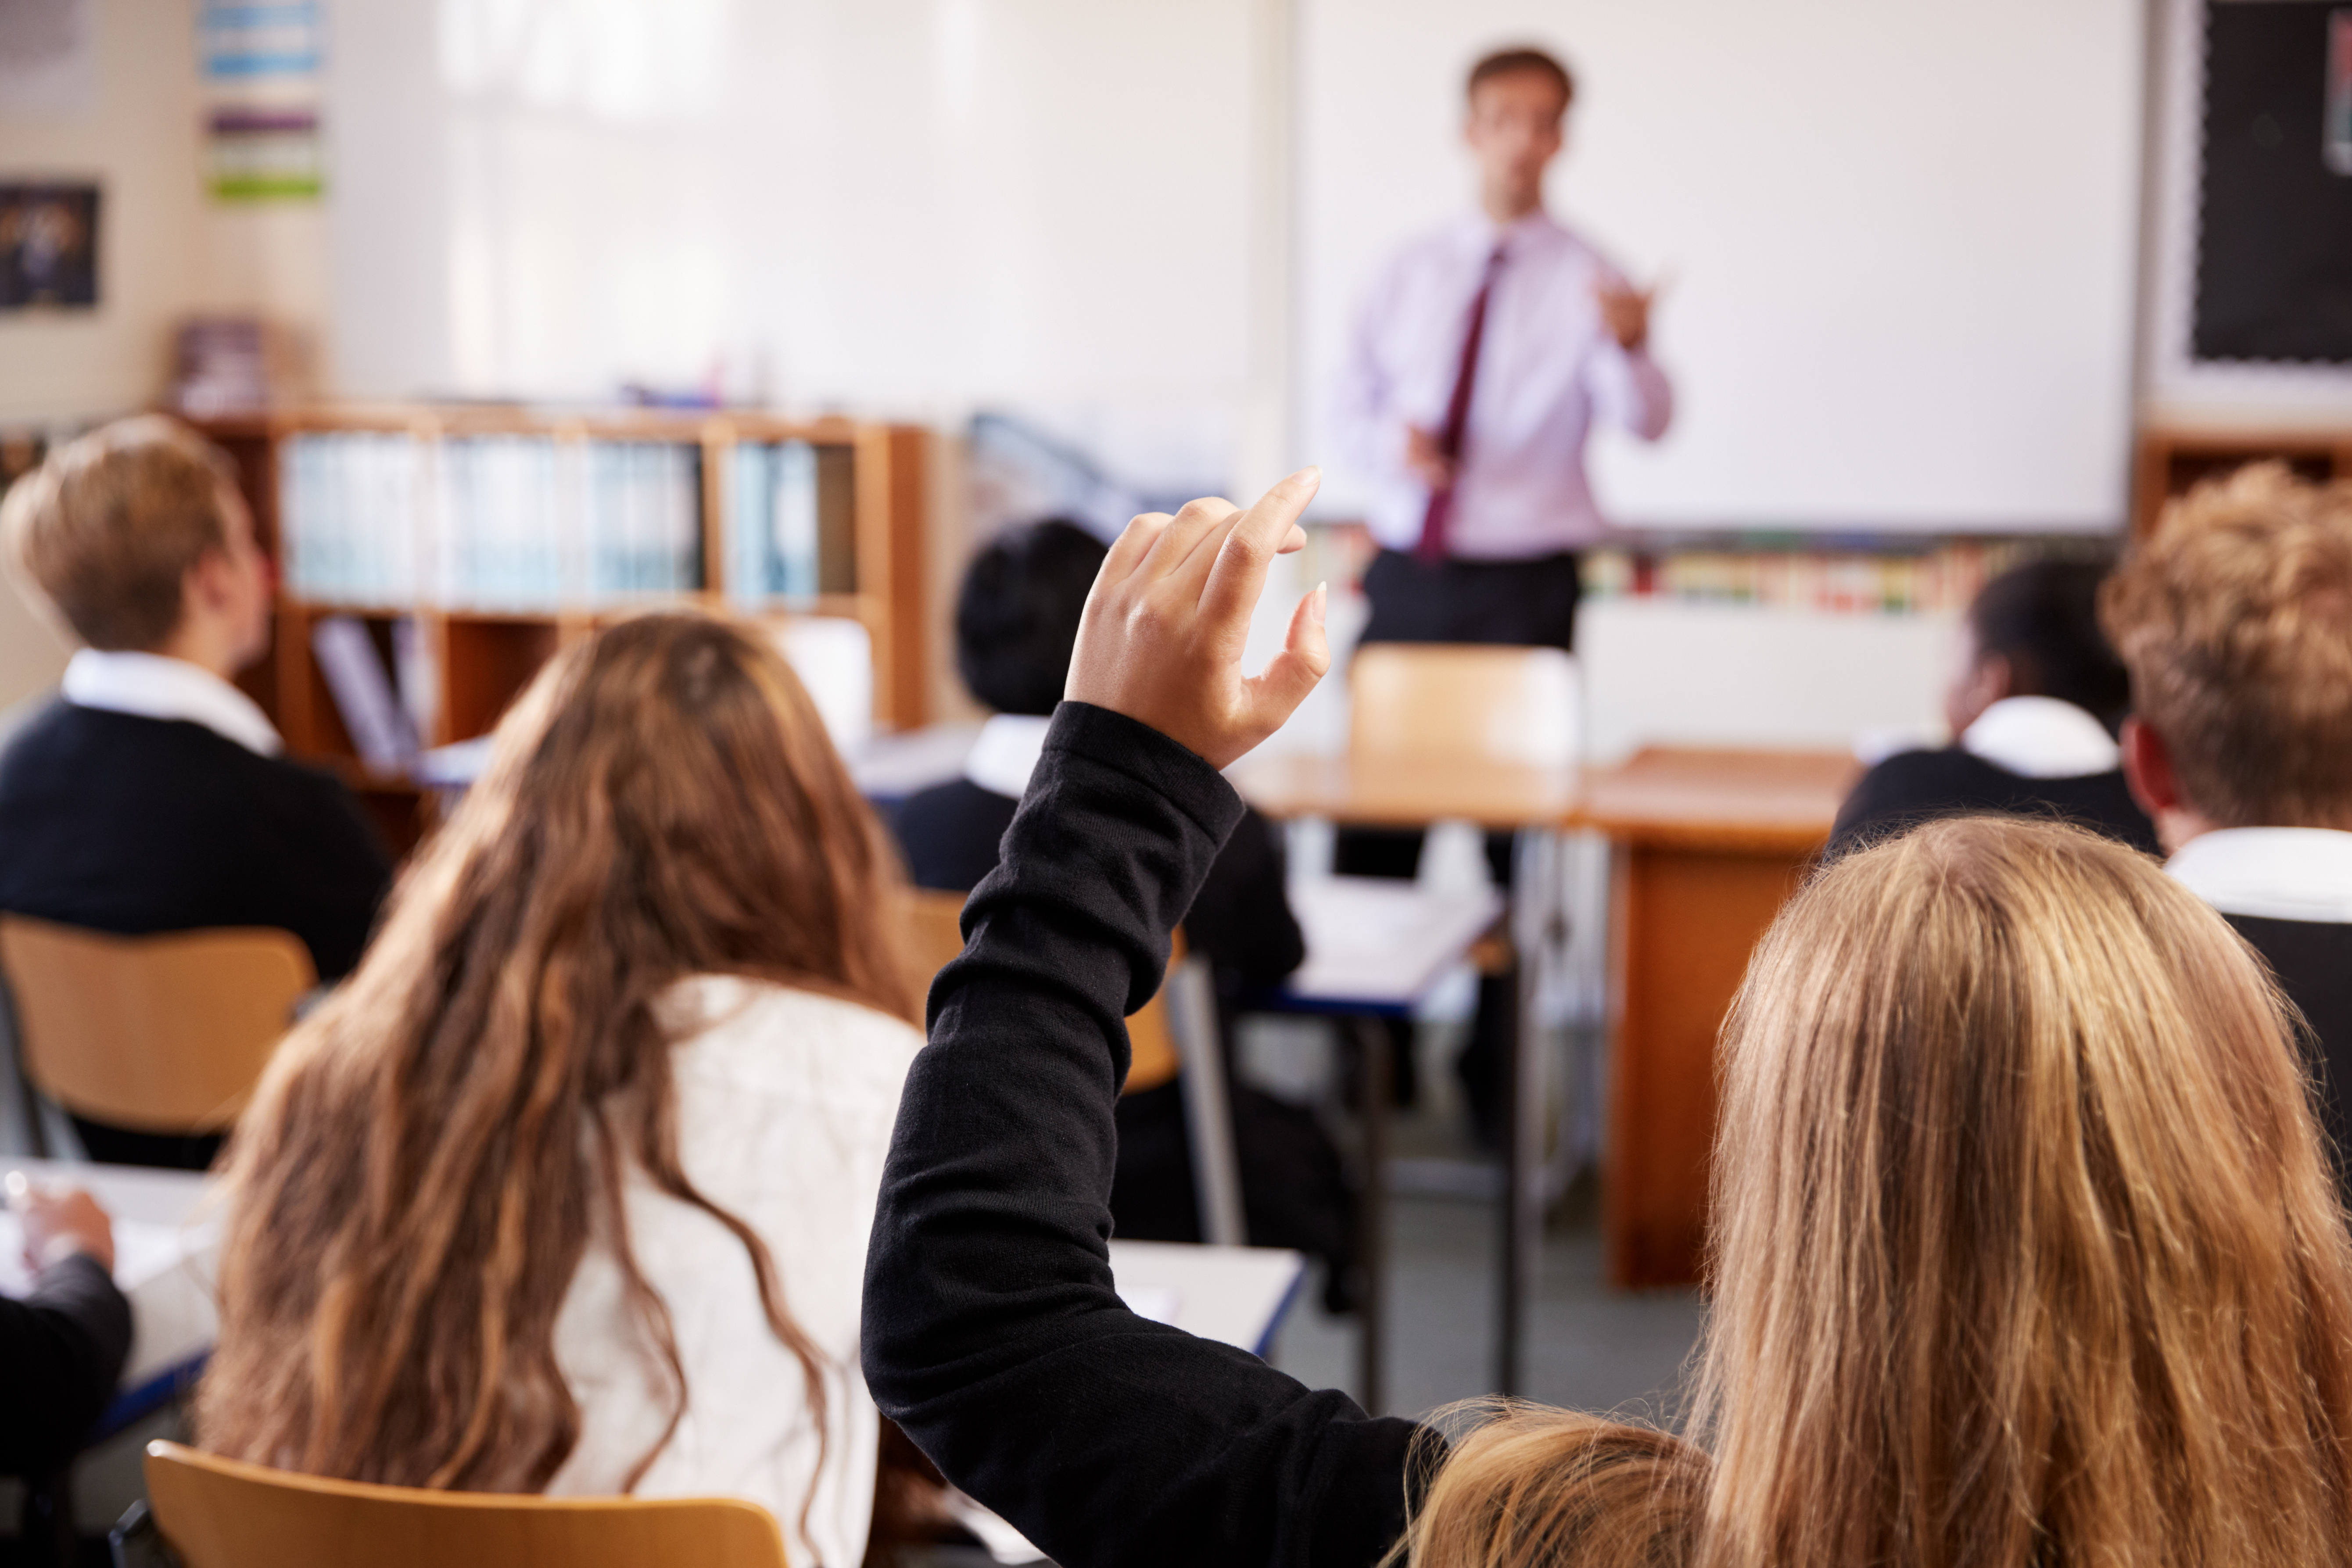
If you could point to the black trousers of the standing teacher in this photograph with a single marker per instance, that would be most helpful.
(1499, 603)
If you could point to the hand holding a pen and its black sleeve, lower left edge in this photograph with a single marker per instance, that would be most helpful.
(62, 1346)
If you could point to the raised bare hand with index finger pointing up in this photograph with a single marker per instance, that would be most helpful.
(1170, 612)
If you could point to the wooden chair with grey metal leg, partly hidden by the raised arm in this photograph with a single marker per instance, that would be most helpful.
(1175, 1033)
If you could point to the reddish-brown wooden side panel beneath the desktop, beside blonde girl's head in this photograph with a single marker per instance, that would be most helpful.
(1690, 923)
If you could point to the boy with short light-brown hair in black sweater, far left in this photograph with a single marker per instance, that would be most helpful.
(154, 796)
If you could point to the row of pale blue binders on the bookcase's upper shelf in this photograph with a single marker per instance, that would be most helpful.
(533, 523)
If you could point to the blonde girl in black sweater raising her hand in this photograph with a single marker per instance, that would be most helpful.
(2012, 1125)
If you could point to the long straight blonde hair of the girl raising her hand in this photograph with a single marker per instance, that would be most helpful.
(2026, 1249)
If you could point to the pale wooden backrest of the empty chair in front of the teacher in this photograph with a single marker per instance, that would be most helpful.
(1462, 702)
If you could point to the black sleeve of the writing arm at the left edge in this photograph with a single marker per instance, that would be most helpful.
(60, 1355)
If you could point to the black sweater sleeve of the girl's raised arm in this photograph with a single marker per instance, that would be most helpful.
(994, 1334)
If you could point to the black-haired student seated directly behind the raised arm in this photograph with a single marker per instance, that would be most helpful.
(1015, 626)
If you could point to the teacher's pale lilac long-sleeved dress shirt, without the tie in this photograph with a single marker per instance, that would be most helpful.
(1549, 370)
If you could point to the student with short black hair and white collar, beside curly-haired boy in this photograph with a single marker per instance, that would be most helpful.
(2033, 709)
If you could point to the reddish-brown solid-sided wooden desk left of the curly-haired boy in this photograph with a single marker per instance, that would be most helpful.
(1709, 847)
